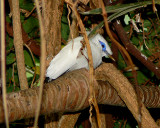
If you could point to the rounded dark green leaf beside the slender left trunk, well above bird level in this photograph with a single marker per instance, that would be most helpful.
(30, 24)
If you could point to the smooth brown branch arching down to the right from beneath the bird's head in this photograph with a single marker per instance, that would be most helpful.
(128, 95)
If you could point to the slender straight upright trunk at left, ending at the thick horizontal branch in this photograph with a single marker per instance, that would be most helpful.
(18, 44)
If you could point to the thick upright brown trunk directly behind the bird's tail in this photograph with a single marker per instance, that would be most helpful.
(52, 19)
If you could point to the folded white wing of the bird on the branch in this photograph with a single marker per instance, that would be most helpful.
(64, 60)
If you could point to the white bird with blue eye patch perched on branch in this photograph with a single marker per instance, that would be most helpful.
(73, 56)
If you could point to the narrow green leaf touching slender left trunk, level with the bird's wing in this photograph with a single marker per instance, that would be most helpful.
(28, 59)
